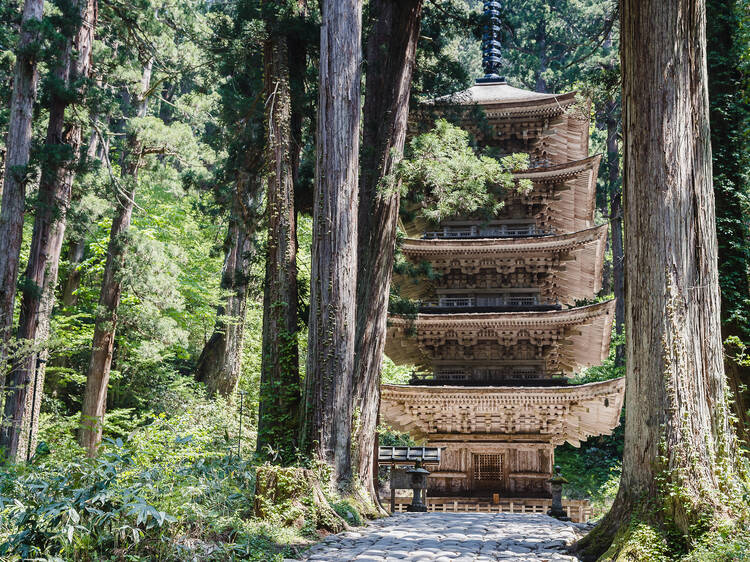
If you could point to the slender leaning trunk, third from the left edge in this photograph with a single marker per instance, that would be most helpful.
(97, 378)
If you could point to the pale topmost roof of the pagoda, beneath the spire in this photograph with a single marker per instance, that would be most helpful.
(501, 94)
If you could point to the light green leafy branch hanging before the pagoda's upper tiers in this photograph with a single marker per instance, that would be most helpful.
(444, 176)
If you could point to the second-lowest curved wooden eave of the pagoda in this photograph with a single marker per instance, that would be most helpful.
(586, 330)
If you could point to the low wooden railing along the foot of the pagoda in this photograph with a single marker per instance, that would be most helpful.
(579, 511)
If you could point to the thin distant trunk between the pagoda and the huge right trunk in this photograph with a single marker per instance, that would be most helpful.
(615, 213)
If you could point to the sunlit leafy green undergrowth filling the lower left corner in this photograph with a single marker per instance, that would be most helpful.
(173, 488)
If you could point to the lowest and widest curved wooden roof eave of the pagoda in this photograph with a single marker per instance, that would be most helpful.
(531, 414)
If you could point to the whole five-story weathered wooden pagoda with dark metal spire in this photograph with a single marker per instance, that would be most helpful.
(498, 331)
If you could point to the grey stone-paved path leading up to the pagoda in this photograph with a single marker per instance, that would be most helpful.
(447, 537)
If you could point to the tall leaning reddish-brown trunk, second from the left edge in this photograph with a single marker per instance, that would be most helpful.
(62, 144)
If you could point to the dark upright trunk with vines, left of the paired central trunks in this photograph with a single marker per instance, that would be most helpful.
(278, 419)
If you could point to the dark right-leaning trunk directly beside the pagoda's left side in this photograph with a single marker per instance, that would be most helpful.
(391, 52)
